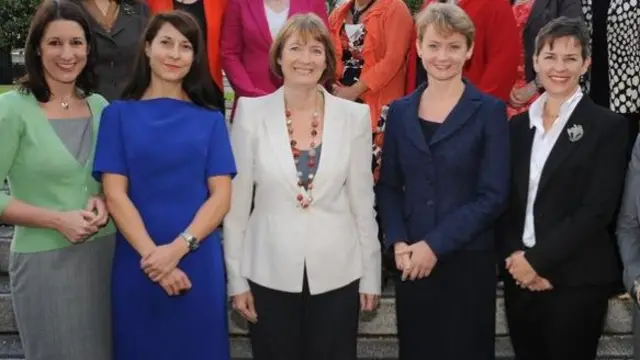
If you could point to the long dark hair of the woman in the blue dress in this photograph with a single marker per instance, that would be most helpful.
(198, 83)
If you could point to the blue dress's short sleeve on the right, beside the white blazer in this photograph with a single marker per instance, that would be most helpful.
(220, 159)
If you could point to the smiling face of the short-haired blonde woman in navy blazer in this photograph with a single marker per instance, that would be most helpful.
(443, 55)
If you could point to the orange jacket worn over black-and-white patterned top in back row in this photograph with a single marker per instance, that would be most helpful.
(389, 26)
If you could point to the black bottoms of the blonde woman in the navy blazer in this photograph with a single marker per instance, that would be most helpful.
(449, 315)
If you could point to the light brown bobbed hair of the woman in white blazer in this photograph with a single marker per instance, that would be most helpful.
(307, 26)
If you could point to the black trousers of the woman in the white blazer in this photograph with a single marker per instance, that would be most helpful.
(300, 326)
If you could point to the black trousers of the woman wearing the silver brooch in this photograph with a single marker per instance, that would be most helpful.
(564, 323)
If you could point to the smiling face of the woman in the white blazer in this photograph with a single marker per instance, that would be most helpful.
(303, 61)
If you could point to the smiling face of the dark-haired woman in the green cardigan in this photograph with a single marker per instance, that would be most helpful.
(63, 51)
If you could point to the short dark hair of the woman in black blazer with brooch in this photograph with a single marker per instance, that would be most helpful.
(564, 27)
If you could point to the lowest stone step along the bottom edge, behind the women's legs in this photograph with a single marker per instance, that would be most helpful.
(372, 348)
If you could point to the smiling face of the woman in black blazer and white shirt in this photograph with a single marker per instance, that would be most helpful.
(559, 66)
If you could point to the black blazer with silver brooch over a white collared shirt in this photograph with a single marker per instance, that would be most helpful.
(578, 194)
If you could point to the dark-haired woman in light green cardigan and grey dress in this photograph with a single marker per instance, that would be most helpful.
(61, 253)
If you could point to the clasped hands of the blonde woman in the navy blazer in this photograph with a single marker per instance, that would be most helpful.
(416, 261)
